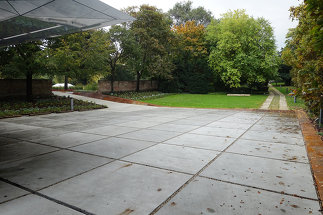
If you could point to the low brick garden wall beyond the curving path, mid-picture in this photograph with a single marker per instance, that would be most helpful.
(123, 86)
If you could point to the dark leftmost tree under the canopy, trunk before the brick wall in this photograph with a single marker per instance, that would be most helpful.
(22, 60)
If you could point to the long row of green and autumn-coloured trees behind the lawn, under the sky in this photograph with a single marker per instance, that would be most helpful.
(185, 49)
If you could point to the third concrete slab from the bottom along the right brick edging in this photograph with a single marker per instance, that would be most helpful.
(270, 150)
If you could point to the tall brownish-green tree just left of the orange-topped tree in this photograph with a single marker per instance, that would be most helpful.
(147, 51)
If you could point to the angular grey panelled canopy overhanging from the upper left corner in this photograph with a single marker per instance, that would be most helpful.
(23, 20)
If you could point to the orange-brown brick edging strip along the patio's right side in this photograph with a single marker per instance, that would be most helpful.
(314, 148)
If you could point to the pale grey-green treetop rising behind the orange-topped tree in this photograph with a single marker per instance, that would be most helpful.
(183, 12)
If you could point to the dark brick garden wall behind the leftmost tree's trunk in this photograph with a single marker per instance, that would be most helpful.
(17, 87)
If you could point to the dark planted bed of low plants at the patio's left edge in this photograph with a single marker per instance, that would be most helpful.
(54, 104)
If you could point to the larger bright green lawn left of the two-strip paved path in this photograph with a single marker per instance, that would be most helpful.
(209, 101)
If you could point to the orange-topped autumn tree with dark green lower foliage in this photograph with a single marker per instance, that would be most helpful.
(190, 58)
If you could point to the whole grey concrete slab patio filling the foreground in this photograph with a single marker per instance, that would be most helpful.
(131, 159)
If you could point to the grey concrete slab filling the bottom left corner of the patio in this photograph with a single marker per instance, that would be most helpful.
(35, 205)
